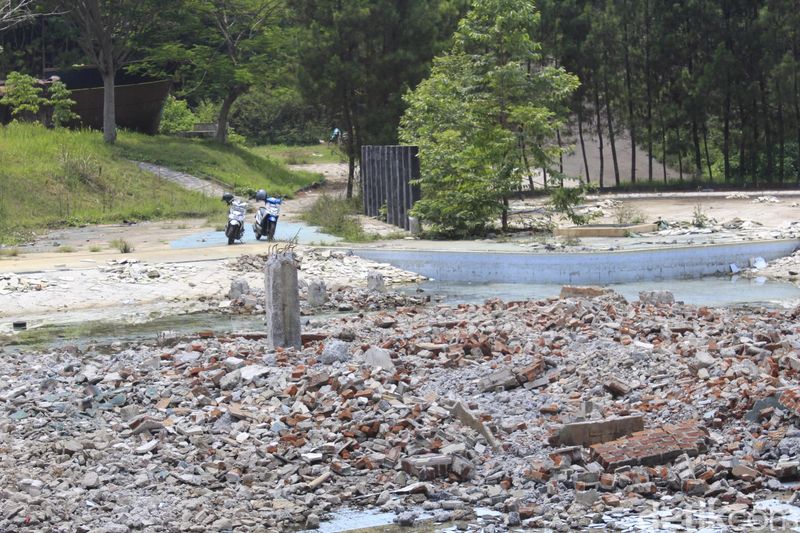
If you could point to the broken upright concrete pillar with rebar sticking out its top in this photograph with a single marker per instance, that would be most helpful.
(282, 301)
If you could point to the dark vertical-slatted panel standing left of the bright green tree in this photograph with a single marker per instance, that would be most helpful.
(386, 176)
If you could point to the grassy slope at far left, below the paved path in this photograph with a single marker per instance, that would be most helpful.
(56, 178)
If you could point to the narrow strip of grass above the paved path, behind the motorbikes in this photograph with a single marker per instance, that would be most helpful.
(238, 167)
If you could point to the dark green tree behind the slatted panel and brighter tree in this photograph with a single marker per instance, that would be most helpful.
(358, 58)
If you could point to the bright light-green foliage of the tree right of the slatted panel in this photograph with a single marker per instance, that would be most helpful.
(482, 118)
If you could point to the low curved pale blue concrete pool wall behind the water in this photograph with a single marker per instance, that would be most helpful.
(581, 268)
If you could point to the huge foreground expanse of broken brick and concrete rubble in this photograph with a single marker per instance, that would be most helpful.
(559, 413)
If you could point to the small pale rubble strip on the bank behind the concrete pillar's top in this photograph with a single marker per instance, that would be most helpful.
(333, 266)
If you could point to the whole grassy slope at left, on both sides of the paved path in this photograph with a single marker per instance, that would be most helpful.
(52, 178)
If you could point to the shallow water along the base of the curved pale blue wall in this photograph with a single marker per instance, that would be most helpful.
(706, 291)
